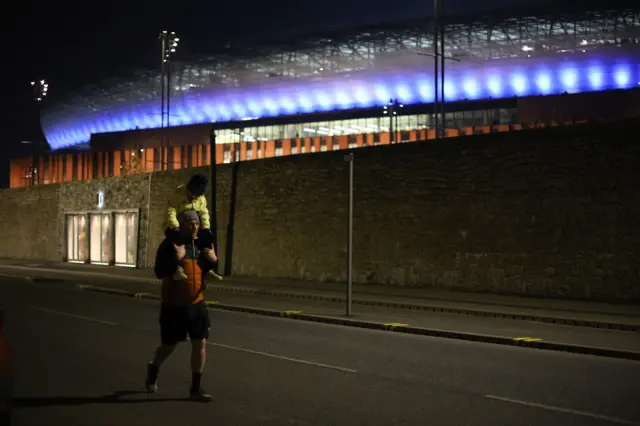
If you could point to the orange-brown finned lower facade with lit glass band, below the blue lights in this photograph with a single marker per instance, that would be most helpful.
(259, 142)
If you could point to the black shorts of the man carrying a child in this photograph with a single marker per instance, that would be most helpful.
(176, 322)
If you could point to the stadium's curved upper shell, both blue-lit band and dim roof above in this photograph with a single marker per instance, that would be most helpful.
(494, 59)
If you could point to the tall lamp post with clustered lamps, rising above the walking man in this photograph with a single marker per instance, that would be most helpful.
(169, 45)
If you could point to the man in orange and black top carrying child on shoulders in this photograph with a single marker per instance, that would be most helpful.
(183, 310)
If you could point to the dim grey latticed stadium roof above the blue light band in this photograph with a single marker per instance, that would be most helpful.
(472, 40)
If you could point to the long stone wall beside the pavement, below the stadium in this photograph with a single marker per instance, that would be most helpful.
(551, 213)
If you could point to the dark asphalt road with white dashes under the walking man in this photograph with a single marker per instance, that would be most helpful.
(80, 360)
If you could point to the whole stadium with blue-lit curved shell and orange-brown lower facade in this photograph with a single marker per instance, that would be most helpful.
(337, 92)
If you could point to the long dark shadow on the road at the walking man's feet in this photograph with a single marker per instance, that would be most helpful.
(115, 398)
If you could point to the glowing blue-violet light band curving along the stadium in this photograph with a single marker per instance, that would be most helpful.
(568, 72)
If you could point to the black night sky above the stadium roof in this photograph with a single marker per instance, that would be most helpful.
(69, 45)
